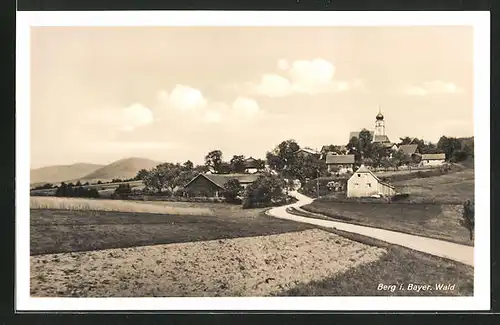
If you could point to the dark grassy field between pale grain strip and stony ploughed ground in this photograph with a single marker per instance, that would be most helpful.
(55, 231)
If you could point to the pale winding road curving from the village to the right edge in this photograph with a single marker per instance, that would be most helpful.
(460, 253)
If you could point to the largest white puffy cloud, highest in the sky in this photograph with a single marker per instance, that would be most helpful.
(304, 77)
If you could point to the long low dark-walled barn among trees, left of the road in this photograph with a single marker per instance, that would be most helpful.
(212, 185)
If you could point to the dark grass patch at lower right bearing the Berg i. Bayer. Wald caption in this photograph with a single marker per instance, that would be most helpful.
(400, 267)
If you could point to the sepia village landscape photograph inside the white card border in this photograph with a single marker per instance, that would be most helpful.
(252, 161)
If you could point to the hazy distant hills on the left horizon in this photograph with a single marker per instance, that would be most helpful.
(123, 169)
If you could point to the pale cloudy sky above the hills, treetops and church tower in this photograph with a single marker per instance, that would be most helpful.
(99, 94)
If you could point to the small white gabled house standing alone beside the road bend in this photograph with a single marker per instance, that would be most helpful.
(363, 183)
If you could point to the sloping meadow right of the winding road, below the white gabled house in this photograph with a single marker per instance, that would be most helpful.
(432, 209)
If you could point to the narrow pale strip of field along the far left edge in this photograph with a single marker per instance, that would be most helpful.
(84, 204)
